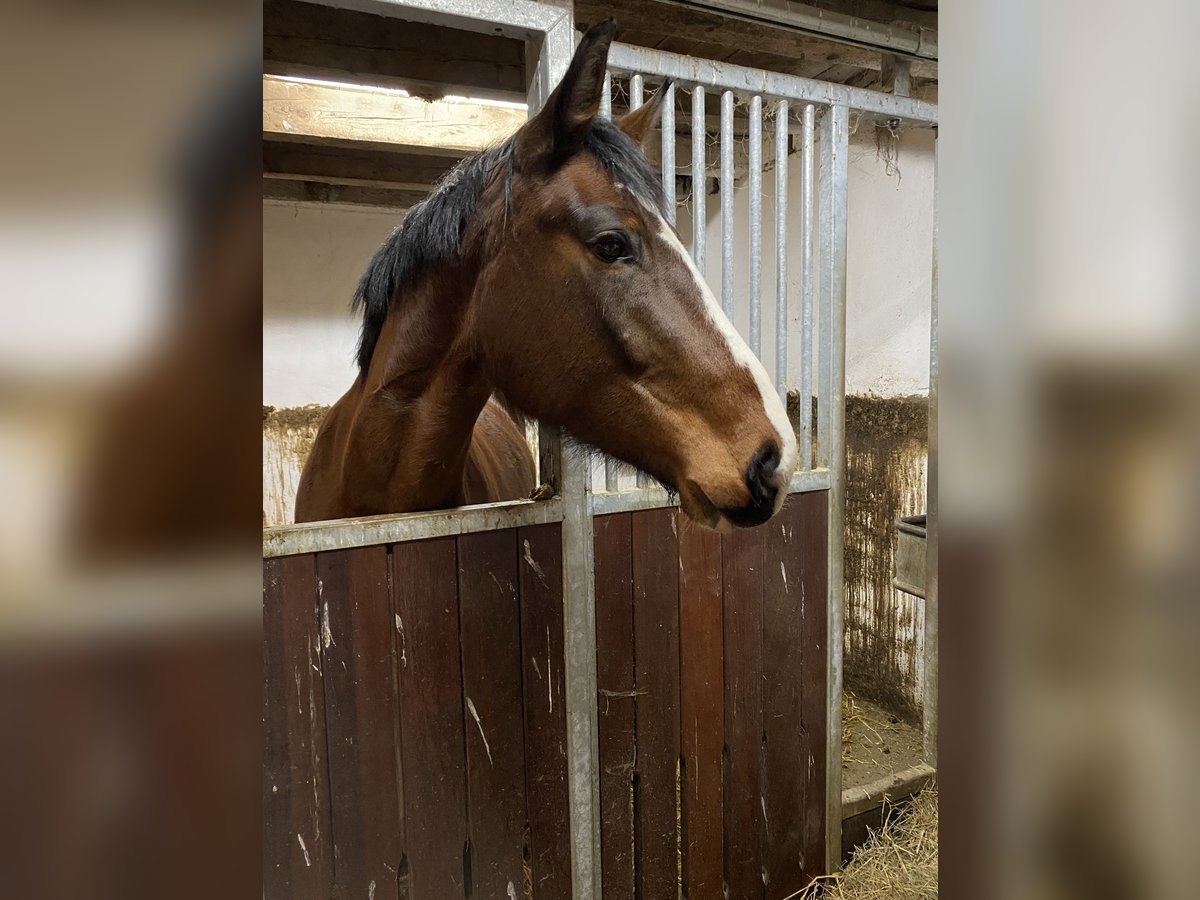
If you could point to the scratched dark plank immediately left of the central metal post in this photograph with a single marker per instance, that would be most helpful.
(541, 550)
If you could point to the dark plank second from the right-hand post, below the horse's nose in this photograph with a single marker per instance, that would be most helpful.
(785, 805)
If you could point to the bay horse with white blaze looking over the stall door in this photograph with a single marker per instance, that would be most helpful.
(544, 271)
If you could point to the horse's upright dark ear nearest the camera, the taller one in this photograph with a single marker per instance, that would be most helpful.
(560, 128)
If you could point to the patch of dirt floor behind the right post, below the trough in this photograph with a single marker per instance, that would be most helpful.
(874, 743)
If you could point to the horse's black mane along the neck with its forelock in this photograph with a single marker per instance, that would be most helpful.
(431, 233)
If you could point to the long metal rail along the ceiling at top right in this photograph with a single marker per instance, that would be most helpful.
(915, 41)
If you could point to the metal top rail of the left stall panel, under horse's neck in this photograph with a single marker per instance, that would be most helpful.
(317, 537)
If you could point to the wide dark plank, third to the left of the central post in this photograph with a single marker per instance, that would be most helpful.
(431, 721)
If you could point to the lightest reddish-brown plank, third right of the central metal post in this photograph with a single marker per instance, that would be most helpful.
(701, 709)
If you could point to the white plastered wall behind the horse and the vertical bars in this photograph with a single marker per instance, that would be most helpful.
(315, 254)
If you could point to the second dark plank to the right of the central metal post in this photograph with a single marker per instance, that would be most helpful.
(656, 557)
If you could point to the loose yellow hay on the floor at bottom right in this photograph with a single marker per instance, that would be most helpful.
(898, 863)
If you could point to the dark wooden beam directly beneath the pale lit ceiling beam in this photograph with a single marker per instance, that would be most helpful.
(353, 166)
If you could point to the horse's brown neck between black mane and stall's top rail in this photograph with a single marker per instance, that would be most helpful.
(423, 395)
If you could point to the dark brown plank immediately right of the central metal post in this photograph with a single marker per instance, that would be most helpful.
(616, 701)
